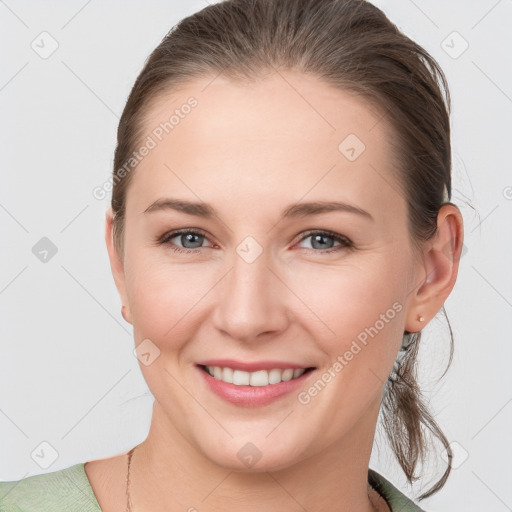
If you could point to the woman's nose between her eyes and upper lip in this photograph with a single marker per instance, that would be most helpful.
(251, 301)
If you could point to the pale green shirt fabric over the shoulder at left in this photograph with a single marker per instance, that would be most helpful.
(67, 490)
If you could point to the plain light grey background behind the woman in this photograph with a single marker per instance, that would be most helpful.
(68, 374)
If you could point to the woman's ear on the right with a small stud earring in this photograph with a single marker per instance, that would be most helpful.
(439, 267)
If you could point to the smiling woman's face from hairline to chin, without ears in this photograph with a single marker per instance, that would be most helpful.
(298, 257)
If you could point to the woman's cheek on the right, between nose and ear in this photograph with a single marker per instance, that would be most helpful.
(357, 310)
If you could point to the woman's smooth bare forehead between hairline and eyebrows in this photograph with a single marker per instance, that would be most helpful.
(273, 140)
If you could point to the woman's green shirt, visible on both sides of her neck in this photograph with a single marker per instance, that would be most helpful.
(69, 490)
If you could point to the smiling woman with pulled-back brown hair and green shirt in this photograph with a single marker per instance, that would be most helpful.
(280, 234)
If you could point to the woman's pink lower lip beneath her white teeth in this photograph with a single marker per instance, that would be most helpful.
(252, 396)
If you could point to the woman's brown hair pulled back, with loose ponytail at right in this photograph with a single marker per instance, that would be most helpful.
(351, 45)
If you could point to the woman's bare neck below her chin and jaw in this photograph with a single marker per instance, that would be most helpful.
(167, 473)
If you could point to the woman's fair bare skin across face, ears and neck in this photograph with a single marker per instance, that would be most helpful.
(250, 151)
